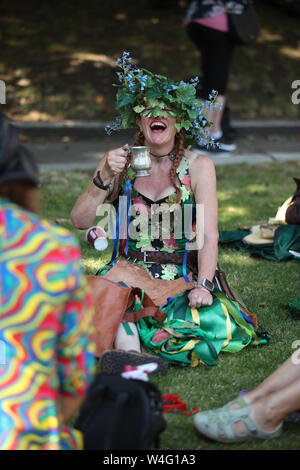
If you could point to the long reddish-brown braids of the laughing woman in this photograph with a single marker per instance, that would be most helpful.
(140, 140)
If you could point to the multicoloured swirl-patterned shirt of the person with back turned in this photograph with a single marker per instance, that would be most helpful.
(45, 327)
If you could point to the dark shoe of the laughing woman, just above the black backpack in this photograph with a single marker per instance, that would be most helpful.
(114, 361)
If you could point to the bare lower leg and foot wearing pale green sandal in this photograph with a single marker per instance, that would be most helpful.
(260, 413)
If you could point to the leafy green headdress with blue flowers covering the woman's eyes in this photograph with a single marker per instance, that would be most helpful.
(142, 93)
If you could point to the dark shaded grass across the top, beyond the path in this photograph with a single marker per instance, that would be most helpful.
(58, 60)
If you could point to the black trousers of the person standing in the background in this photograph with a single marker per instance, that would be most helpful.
(216, 54)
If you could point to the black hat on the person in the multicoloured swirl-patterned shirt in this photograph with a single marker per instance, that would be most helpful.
(16, 161)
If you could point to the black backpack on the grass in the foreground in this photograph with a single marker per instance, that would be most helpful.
(121, 414)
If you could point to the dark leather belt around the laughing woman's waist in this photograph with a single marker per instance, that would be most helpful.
(163, 257)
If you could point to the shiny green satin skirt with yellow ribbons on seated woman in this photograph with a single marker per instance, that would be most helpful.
(197, 336)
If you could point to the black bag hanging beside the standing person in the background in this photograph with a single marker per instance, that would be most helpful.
(244, 28)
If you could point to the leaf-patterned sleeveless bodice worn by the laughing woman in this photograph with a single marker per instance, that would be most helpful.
(157, 235)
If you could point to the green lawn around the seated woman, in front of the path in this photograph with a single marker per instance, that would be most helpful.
(247, 195)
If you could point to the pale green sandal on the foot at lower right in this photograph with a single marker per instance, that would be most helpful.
(218, 424)
